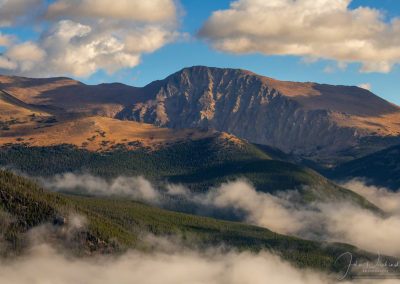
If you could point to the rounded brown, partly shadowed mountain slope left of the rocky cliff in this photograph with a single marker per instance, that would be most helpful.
(67, 95)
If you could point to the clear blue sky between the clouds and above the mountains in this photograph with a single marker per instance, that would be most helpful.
(183, 53)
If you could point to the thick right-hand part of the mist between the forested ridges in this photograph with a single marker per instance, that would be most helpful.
(334, 221)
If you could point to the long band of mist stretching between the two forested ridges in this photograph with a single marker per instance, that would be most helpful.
(282, 213)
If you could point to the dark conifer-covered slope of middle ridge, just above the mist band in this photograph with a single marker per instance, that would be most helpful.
(199, 164)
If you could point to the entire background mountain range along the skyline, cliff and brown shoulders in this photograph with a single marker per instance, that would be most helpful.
(328, 124)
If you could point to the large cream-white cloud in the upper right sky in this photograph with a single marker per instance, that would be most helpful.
(326, 29)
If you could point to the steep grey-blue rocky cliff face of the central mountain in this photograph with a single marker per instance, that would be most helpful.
(248, 106)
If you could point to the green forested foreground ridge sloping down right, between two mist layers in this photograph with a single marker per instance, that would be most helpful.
(114, 225)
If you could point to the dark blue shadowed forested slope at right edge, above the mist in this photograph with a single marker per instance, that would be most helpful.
(379, 169)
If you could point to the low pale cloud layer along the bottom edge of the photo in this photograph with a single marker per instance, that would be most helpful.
(45, 265)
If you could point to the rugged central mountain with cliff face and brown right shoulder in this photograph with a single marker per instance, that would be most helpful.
(312, 120)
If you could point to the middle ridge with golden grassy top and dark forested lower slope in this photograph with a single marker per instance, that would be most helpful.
(41, 143)
